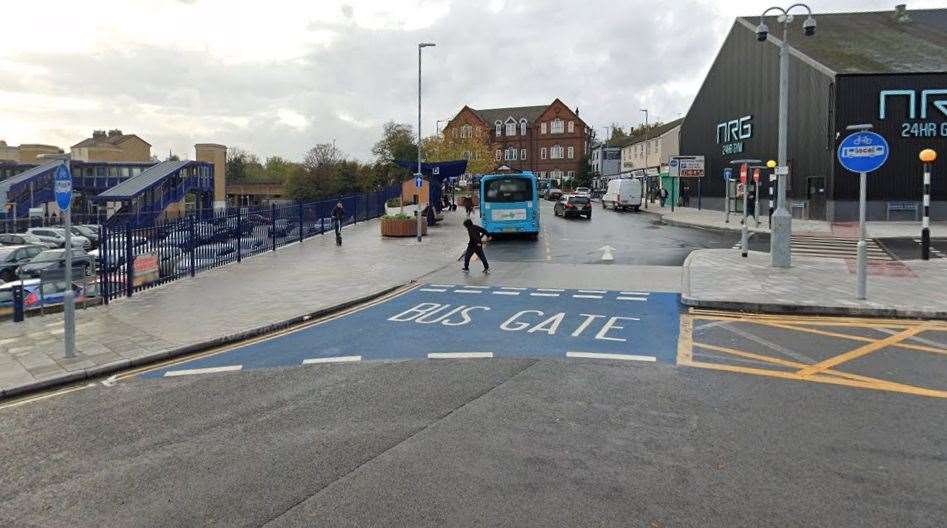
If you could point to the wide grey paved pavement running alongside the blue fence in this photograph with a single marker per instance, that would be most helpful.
(235, 301)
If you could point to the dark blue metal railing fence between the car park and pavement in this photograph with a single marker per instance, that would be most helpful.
(132, 259)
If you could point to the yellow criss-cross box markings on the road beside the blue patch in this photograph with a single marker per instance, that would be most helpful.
(824, 371)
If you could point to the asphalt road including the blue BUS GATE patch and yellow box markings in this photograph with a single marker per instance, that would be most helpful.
(747, 421)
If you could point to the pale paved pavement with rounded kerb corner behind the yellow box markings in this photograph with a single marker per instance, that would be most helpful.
(723, 279)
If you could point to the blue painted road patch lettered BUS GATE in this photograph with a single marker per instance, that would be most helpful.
(509, 322)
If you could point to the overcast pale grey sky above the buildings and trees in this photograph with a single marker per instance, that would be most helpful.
(278, 76)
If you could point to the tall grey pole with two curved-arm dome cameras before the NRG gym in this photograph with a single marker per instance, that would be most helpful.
(780, 240)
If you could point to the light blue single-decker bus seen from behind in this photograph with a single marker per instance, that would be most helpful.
(509, 203)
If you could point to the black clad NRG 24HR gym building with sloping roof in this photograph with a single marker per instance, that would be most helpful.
(887, 69)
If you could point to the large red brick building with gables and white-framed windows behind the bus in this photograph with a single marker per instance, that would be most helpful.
(549, 140)
